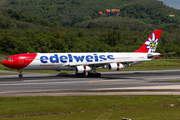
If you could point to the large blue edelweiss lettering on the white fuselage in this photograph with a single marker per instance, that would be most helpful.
(72, 58)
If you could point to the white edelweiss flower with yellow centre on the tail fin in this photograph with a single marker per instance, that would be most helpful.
(152, 43)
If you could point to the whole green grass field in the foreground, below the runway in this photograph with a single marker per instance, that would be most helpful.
(91, 107)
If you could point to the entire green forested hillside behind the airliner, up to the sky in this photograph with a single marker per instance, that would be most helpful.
(36, 26)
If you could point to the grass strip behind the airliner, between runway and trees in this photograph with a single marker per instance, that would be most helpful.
(158, 64)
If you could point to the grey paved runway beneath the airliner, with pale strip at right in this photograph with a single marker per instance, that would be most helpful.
(110, 83)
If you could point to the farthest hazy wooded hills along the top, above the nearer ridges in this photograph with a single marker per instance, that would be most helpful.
(69, 12)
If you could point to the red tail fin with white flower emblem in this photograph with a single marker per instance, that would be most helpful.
(151, 43)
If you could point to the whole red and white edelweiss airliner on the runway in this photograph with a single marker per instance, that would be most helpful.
(84, 63)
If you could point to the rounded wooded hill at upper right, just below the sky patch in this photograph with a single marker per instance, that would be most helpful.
(151, 11)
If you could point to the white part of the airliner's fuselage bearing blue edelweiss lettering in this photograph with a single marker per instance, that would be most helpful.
(68, 61)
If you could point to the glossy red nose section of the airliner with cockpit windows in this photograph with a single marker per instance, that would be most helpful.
(19, 61)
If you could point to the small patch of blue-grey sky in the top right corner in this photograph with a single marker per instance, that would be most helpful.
(172, 3)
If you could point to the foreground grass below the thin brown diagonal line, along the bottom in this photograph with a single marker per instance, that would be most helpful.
(138, 114)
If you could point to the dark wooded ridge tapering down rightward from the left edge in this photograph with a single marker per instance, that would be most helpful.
(10, 19)
